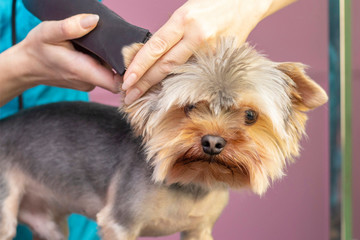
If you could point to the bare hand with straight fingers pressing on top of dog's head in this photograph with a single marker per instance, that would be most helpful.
(191, 26)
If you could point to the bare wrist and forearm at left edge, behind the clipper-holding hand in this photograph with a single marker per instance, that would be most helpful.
(13, 71)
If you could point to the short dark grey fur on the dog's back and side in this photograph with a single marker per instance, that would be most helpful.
(75, 143)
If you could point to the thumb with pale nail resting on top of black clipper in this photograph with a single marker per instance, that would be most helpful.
(69, 28)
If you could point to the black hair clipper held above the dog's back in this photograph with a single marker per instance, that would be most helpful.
(108, 38)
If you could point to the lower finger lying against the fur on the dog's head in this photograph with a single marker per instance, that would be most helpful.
(176, 56)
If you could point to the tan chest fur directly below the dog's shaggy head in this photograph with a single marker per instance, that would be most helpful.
(174, 212)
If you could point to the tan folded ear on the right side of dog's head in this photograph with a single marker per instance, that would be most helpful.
(309, 93)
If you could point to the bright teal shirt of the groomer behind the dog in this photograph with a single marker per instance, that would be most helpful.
(80, 227)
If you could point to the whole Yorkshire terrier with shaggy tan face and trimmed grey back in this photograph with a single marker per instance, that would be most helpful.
(227, 119)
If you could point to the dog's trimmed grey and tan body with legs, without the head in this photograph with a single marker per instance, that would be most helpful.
(84, 158)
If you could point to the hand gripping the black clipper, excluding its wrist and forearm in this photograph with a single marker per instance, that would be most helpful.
(57, 63)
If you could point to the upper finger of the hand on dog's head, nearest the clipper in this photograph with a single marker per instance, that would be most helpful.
(161, 42)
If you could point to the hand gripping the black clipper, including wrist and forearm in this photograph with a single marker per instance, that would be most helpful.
(46, 56)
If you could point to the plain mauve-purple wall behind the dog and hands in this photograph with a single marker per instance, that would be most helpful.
(297, 207)
